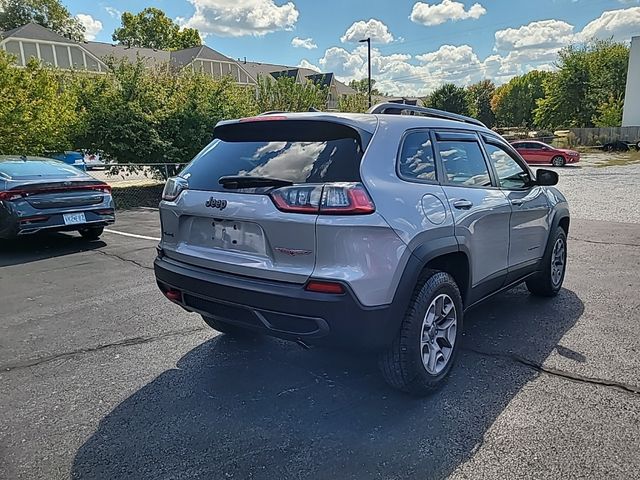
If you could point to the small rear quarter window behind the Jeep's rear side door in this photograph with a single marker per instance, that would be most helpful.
(417, 160)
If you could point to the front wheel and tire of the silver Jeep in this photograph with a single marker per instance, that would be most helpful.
(548, 282)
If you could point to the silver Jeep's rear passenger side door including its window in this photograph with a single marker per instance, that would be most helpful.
(481, 211)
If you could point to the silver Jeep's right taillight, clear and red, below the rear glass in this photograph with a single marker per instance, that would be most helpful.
(329, 199)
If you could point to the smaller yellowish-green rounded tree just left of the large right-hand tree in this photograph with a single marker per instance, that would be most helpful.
(514, 103)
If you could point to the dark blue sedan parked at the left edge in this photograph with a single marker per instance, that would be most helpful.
(41, 194)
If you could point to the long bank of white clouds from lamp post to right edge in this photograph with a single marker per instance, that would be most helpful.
(518, 50)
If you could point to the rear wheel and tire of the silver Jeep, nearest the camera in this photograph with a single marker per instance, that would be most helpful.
(425, 348)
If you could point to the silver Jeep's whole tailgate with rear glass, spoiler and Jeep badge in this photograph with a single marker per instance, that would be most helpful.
(260, 231)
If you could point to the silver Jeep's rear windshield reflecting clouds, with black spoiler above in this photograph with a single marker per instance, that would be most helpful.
(282, 152)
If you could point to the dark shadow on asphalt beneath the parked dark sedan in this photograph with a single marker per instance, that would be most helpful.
(41, 246)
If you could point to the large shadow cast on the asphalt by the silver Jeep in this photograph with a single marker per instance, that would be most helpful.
(268, 409)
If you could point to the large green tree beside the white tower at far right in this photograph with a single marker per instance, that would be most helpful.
(589, 76)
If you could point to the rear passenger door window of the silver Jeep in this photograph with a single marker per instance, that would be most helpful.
(464, 163)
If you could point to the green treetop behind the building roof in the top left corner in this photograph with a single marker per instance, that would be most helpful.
(48, 13)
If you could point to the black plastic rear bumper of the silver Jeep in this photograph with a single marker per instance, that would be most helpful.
(280, 309)
